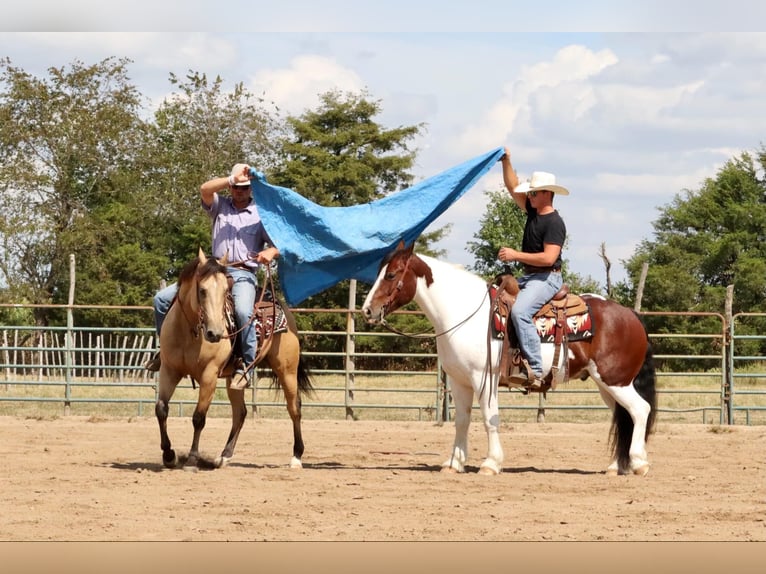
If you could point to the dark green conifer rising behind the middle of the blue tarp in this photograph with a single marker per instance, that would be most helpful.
(338, 155)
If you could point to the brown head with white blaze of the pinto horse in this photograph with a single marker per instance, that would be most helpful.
(396, 284)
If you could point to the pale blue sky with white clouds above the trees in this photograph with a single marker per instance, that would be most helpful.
(625, 118)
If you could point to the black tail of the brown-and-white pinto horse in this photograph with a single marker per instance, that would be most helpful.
(622, 423)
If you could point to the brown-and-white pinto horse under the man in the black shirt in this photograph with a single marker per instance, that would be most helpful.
(618, 356)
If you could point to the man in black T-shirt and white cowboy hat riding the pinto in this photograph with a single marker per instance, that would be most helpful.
(544, 236)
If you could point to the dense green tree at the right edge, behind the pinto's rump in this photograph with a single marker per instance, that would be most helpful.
(705, 240)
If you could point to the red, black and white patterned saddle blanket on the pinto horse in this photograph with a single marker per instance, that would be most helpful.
(578, 324)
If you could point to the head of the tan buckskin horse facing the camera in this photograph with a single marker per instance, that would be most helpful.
(204, 288)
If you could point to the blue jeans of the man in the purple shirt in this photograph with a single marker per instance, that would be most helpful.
(243, 293)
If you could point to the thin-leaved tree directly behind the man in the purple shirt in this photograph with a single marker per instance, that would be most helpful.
(200, 131)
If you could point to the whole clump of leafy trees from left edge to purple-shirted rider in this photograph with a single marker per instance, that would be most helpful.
(83, 173)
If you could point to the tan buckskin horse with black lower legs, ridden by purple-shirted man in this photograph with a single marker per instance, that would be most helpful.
(196, 340)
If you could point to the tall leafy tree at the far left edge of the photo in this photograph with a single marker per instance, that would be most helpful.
(67, 141)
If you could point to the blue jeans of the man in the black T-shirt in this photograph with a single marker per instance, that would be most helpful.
(536, 290)
